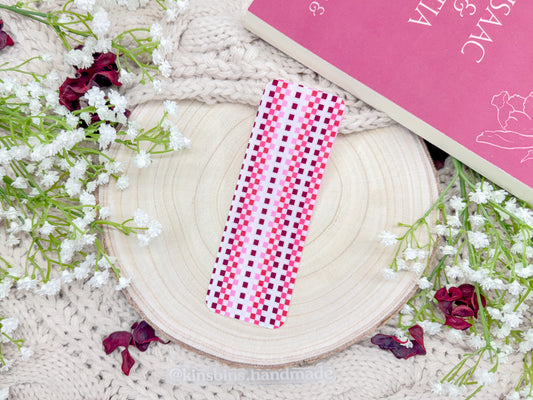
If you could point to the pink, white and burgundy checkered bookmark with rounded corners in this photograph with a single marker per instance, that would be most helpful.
(262, 243)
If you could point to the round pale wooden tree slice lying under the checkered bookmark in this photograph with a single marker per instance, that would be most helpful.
(373, 181)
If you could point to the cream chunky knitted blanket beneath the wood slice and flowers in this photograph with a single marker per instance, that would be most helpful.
(214, 60)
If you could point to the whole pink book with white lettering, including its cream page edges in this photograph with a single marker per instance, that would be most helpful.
(455, 72)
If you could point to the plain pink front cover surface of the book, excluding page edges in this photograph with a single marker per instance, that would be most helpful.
(419, 67)
